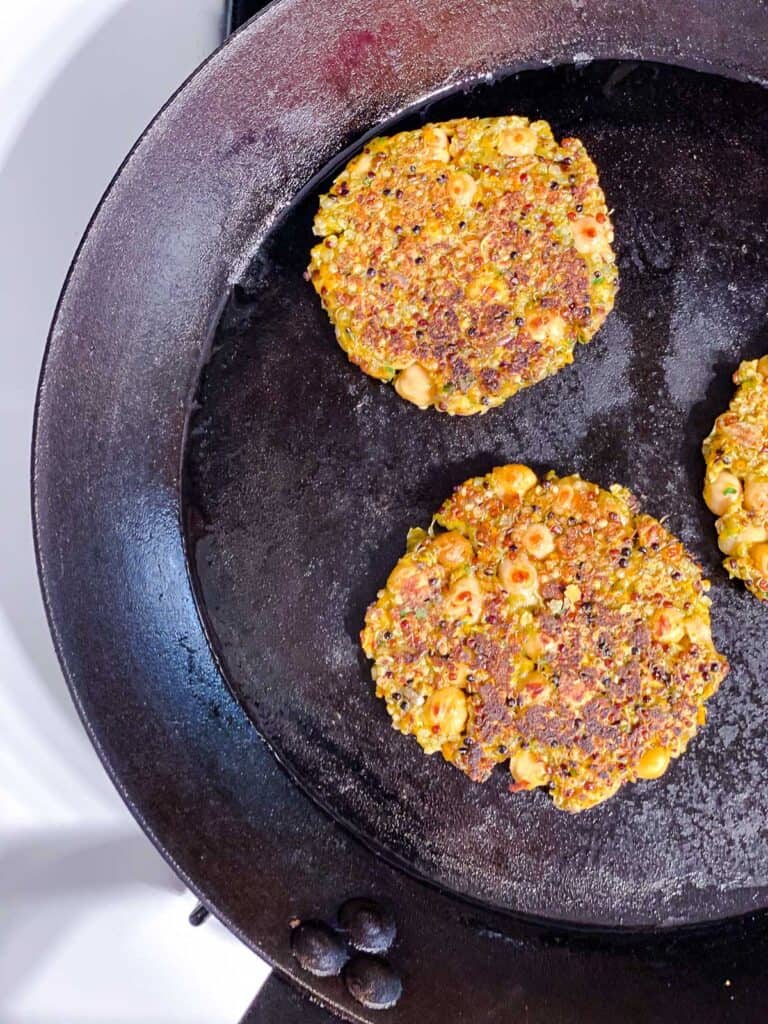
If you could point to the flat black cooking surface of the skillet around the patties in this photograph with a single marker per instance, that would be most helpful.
(304, 476)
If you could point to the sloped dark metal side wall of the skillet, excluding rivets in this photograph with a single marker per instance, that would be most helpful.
(132, 330)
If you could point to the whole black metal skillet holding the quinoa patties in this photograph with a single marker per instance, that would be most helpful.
(219, 496)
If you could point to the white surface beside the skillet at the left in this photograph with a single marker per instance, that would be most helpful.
(93, 923)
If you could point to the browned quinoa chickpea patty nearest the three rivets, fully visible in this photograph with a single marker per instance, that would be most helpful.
(550, 625)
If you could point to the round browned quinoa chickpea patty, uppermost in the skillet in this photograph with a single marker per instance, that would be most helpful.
(463, 262)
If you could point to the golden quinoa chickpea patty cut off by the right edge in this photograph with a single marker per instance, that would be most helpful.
(737, 483)
